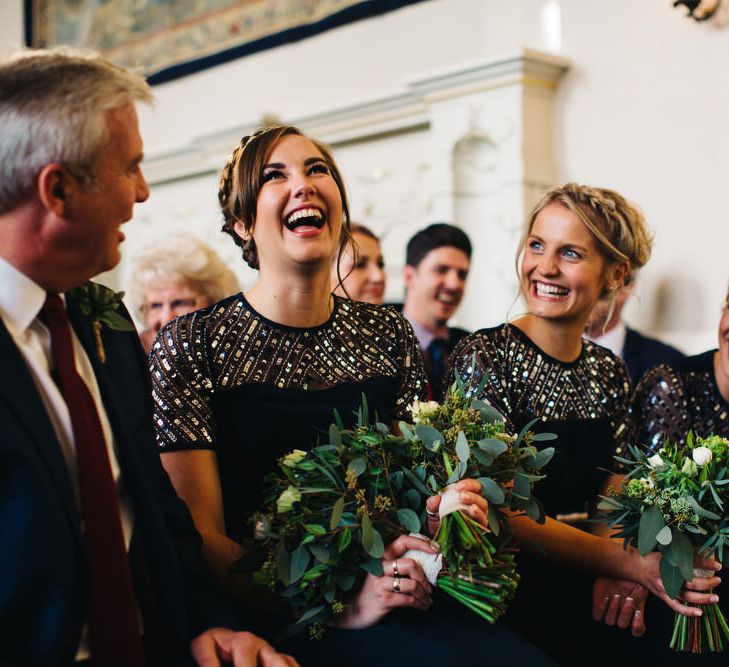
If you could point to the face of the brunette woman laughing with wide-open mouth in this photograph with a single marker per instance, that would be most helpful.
(299, 207)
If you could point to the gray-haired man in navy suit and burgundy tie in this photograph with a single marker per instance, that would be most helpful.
(100, 559)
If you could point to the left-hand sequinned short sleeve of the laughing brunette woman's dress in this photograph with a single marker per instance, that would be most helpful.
(182, 386)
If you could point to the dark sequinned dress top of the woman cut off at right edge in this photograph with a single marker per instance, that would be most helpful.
(673, 399)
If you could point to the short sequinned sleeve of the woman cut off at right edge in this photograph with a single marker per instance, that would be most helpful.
(659, 409)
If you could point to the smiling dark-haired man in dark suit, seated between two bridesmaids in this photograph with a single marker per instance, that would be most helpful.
(436, 267)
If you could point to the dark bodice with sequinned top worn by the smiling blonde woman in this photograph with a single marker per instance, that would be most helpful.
(585, 402)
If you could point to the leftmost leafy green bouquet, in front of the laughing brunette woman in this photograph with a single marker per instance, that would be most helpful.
(329, 513)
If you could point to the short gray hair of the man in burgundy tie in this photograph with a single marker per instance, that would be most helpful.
(52, 109)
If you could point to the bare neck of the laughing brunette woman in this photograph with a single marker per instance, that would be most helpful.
(301, 301)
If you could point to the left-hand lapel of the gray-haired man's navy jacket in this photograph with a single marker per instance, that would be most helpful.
(21, 395)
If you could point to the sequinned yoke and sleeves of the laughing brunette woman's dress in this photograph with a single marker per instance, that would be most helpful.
(229, 345)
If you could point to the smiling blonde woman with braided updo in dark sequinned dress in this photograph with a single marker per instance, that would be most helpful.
(579, 245)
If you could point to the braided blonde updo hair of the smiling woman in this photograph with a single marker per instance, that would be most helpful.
(617, 225)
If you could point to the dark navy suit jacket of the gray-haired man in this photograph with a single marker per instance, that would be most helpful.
(43, 572)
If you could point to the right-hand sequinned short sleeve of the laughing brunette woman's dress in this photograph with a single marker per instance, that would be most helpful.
(412, 381)
